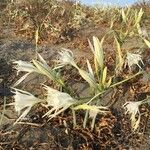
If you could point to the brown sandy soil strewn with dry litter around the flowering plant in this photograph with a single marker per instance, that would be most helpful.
(112, 131)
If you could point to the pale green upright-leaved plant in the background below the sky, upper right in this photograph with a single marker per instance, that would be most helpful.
(130, 21)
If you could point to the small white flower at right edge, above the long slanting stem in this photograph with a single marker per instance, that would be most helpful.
(134, 59)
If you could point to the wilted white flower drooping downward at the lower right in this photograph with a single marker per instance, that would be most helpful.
(132, 108)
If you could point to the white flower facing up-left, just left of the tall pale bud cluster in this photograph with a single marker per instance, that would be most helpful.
(66, 57)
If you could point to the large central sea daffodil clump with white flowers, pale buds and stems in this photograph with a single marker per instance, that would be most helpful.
(57, 101)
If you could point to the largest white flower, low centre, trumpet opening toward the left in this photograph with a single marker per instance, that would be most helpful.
(59, 101)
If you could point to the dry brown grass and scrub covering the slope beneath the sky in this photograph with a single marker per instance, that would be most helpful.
(59, 21)
